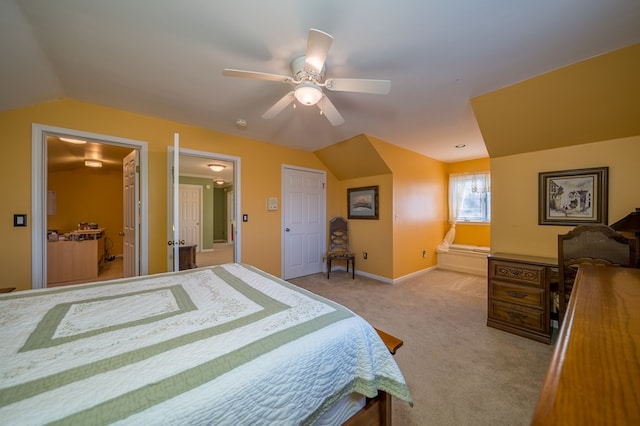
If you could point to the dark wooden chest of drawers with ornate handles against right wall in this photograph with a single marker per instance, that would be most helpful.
(519, 294)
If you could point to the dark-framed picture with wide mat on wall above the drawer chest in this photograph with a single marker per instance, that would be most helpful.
(573, 197)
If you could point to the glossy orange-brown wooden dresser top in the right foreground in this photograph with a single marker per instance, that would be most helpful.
(594, 374)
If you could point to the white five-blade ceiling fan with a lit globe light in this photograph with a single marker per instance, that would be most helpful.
(308, 73)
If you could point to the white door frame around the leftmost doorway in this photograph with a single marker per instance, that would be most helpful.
(39, 133)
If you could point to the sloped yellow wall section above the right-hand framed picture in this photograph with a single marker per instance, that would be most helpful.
(589, 101)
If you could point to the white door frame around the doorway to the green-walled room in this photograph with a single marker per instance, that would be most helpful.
(236, 187)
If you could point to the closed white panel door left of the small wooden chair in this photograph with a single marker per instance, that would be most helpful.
(304, 221)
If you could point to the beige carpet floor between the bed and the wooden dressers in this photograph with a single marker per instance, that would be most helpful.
(459, 371)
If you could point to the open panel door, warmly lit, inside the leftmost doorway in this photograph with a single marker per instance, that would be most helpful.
(130, 183)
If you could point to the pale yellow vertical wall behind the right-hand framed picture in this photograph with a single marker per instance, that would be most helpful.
(514, 181)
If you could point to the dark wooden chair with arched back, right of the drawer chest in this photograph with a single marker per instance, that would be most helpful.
(595, 244)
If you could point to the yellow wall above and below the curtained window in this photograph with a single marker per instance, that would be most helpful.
(472, 234)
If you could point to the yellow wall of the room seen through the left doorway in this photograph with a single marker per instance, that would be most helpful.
(88, 195)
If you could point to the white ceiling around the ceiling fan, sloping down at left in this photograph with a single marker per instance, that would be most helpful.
(165, 58)
